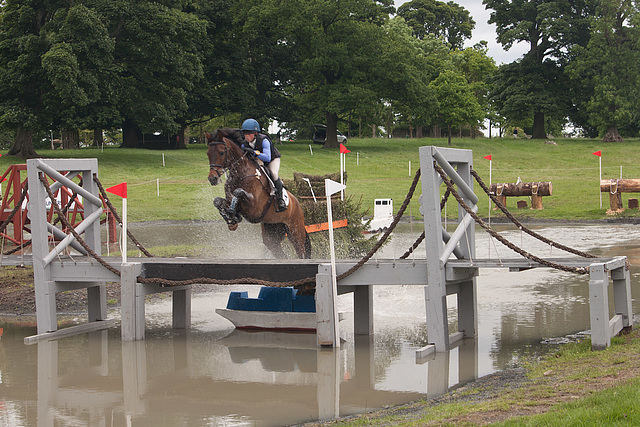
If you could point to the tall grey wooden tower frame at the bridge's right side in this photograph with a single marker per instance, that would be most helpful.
(440, 283)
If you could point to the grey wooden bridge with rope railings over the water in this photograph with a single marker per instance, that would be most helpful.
(450, 266)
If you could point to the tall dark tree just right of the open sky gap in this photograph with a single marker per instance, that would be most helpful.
(536, 85)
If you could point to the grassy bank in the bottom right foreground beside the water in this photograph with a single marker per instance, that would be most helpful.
(575, 386)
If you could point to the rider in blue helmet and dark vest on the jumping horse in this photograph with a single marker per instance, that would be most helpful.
(266, 151)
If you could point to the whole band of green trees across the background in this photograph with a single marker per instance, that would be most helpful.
(160, 66)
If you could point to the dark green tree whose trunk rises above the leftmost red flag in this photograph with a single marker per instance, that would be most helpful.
(157, 63)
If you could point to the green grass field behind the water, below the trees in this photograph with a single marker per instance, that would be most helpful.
(376, 168)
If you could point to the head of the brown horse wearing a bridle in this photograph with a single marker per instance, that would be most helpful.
(223, 151)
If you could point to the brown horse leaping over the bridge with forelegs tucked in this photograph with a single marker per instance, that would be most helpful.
(248, 194)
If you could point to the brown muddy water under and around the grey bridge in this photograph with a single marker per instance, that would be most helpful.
(213, 375)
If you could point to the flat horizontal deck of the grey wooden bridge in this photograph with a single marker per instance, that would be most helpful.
(374, 272)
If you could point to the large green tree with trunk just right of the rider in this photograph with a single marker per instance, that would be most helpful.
(335, 47)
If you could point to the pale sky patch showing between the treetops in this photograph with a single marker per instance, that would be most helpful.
(485, 31)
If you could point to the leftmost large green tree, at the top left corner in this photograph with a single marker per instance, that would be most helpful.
(51, 57)
